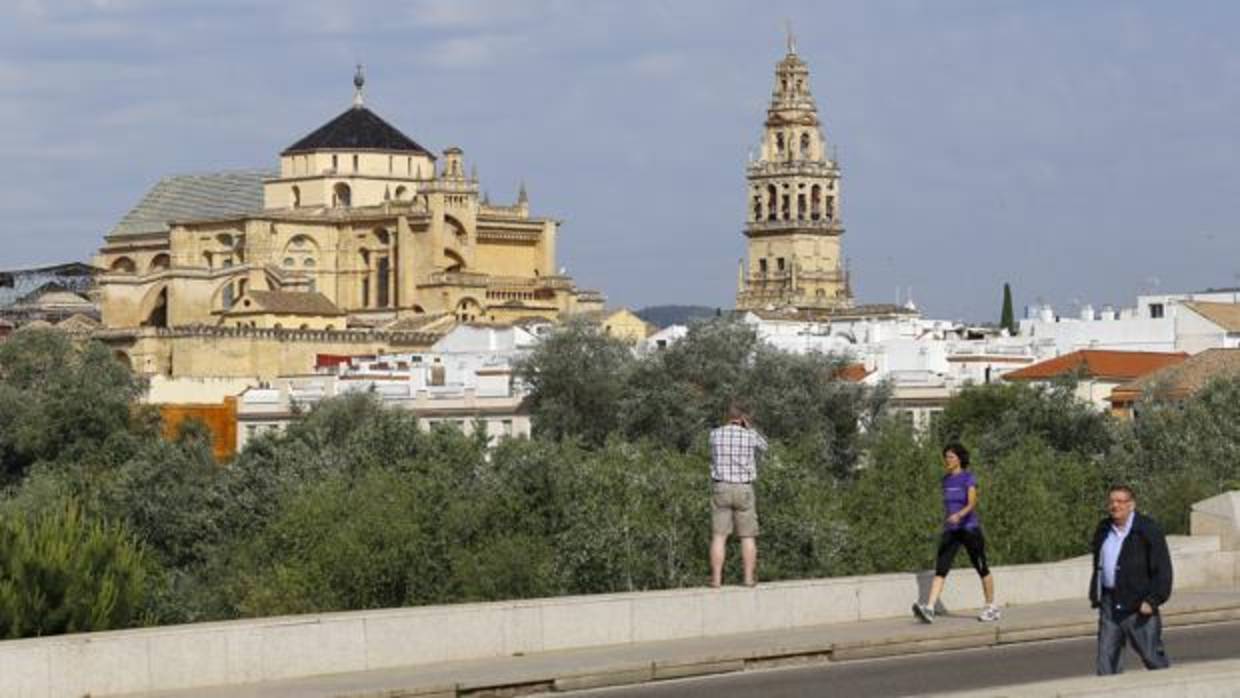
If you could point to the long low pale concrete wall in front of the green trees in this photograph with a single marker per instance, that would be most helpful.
(298, 647)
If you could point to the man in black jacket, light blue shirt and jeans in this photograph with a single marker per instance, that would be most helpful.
(1131, 580)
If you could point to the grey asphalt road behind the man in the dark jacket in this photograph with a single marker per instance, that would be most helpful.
(963, 670)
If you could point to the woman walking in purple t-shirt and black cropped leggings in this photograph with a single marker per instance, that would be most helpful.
(962, 528)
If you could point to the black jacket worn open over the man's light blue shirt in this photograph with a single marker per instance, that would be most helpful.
(1144, 571)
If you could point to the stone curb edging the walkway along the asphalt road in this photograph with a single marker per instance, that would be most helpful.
(800, 654)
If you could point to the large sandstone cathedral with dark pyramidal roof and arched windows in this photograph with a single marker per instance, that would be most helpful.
(361, 242)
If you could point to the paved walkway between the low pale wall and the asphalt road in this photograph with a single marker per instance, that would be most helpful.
(654, 661)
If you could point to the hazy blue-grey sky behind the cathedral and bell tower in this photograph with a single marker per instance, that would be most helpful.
(1083, 152)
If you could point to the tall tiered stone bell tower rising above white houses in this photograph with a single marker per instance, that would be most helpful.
(794, 228)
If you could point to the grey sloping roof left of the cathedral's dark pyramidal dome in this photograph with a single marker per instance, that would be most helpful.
(195, 198)
